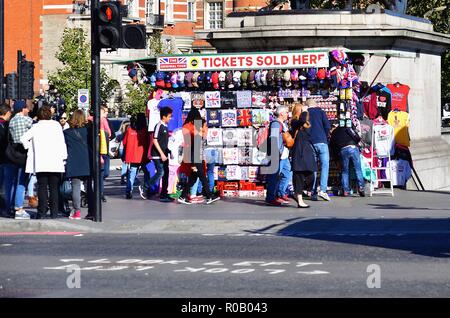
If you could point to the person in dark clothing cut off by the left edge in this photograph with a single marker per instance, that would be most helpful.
(5, 116)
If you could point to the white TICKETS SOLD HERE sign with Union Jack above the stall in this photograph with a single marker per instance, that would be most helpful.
(268, 60)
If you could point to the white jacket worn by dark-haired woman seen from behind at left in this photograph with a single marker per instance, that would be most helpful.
(46, 146)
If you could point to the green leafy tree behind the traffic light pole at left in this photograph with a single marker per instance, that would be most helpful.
(74, 53)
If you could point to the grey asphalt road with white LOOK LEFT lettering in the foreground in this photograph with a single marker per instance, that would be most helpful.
(224, 265)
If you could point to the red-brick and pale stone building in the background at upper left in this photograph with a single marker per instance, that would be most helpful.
(36, 28)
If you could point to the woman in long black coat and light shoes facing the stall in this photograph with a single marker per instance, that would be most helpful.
(302, 153)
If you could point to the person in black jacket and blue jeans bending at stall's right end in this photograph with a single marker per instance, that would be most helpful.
(344, 144)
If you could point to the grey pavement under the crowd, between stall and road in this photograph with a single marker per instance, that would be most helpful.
(408, 212)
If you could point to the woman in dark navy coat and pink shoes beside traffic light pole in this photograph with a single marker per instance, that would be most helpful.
(77, 166)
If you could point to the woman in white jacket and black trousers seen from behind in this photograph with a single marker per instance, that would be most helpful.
(46, 157)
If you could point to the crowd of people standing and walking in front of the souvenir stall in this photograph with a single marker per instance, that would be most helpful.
(301, 133)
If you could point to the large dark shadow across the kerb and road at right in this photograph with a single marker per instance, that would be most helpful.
(427, 237)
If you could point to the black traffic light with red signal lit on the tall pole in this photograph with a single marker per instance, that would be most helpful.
(108, 20)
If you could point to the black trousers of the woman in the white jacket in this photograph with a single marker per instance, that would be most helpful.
(48, 181)
